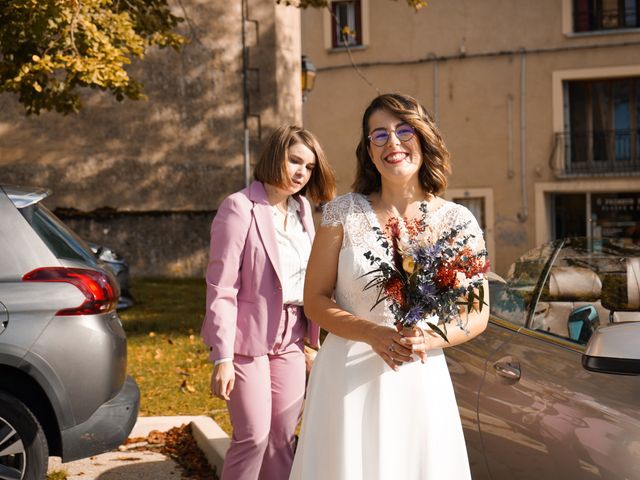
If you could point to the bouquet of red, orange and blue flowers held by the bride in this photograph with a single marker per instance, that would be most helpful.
(430, 275)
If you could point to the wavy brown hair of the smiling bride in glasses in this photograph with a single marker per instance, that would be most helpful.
(435, 156)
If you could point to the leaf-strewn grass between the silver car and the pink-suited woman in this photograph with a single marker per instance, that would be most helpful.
(166, 355)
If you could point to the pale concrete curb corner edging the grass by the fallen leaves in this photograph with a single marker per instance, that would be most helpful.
(211, 439)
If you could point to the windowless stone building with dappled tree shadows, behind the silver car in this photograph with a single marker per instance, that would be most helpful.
(145, 178)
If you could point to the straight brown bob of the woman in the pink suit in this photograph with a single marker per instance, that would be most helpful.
(272, 165)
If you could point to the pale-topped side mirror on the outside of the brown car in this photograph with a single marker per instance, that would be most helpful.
(614, 349)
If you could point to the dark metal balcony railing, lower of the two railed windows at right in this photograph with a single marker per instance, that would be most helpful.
(596, 153)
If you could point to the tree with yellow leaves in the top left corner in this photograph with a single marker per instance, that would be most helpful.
(51, 48)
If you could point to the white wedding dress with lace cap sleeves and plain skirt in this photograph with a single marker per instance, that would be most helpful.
(362, 420)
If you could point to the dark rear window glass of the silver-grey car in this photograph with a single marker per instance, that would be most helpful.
(56, 235)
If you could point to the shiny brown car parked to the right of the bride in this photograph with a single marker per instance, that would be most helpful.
(551, 388)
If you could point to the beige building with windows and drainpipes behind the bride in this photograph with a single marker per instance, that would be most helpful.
(539, 104)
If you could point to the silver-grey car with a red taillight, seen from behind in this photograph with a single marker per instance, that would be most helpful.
(63, 353)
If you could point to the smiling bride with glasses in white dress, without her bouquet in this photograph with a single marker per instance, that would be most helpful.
(373, 412)
